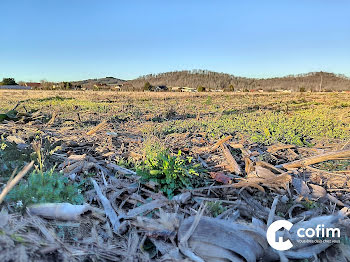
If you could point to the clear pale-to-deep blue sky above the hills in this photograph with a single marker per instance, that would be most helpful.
(68, 40)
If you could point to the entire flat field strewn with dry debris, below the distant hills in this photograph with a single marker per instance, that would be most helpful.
(234, 156)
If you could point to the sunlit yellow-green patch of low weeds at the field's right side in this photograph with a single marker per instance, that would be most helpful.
(299, 128)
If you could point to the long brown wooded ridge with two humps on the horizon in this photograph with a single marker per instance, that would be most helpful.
(214, 80)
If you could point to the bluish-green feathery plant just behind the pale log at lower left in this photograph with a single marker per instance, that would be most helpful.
(46, 187)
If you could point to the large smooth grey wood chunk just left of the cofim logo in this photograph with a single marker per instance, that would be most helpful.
(236, 239)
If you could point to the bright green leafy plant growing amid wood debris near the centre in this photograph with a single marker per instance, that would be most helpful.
(170, 172)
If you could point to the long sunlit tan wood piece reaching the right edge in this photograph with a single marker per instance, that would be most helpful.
(317, 159)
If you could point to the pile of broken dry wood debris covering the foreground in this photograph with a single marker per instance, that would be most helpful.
(126, 220)
